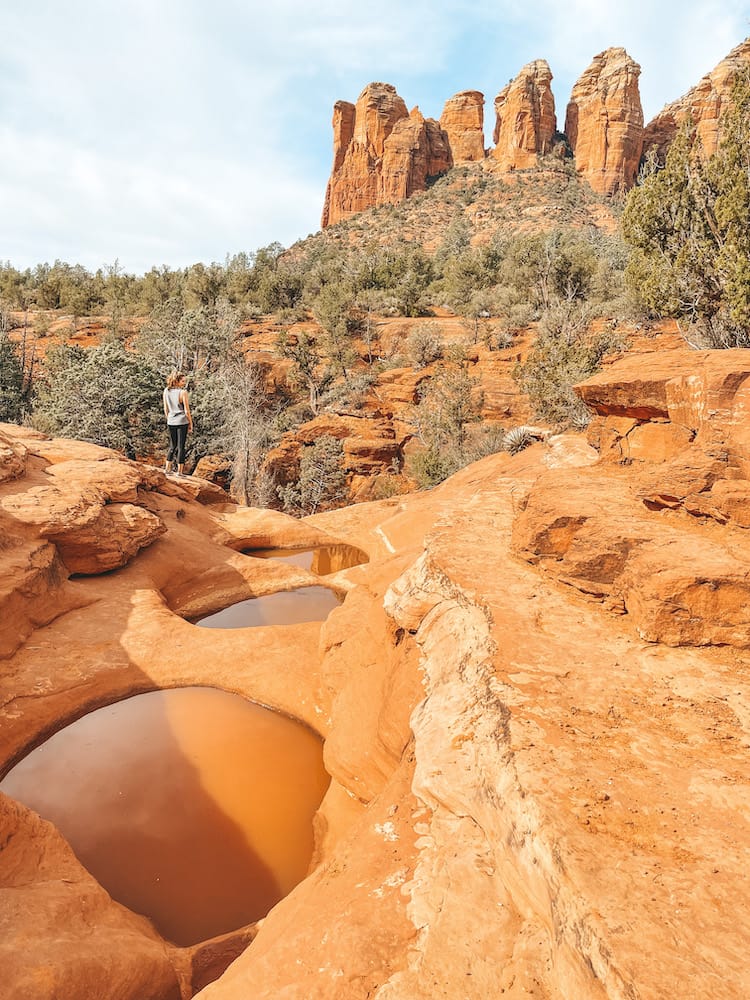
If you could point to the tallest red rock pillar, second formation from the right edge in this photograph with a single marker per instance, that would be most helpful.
(604, 122)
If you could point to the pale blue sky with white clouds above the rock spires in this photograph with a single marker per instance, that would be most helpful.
(154, 132)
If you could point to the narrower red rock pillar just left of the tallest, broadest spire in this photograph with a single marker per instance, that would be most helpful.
(525, 124)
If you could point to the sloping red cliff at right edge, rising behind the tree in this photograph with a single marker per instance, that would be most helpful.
(704, 104)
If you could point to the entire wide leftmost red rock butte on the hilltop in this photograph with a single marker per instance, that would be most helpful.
(381, 153)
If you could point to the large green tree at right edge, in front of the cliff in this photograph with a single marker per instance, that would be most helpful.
(688, 226)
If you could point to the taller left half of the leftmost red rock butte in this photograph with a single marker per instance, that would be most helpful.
(360, 133)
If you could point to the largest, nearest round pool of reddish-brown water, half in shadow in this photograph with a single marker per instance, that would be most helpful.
(192, 806)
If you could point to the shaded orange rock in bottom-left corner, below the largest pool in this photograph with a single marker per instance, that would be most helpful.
(60, 933)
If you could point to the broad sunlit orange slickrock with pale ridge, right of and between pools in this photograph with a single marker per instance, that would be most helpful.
(534, 701)
